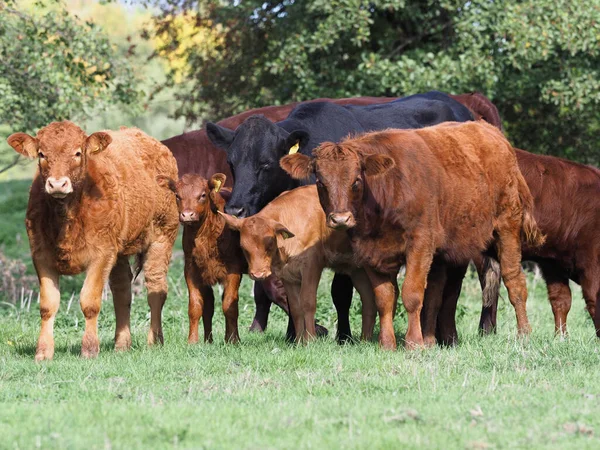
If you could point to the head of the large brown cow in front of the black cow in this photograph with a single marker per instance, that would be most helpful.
(341, 172)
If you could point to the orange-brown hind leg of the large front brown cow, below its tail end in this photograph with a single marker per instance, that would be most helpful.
(509, 255)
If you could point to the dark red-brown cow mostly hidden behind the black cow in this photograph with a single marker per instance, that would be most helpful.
(195, 153)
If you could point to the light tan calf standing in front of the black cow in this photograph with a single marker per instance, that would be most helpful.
(296, 248)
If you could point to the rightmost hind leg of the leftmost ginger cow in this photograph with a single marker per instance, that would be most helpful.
(156, 266)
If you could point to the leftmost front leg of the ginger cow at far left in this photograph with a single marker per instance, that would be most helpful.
(49, 302)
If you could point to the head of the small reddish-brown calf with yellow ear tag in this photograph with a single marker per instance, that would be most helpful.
(196, 197)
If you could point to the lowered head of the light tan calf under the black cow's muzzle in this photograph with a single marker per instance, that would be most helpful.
(259, 239)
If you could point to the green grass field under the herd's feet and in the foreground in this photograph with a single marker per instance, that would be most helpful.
(493, 392)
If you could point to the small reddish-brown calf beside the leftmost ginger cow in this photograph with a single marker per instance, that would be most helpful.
(212, 253)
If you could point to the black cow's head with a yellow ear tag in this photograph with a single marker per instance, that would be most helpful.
(253, 153)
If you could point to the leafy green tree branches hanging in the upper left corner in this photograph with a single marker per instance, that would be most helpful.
(54, 67)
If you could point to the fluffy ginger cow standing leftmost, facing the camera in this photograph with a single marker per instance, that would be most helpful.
(93, 203)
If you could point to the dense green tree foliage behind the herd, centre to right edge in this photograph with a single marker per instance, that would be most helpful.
(538, 60)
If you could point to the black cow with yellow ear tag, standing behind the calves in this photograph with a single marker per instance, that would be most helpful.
(255, 147)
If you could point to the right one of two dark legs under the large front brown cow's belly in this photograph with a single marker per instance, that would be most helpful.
(446, 332)
